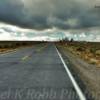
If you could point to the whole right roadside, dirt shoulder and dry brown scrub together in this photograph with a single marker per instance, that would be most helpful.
(86, 60)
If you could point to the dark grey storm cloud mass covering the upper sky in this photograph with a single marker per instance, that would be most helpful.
(44, 14)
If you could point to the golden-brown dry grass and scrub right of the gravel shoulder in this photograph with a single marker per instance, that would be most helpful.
(90, 52)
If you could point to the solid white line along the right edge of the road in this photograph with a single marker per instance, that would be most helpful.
(76, 86)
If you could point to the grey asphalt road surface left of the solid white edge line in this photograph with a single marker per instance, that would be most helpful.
(35, 73)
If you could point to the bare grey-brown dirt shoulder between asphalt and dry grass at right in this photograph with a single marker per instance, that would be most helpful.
(89, 75)
